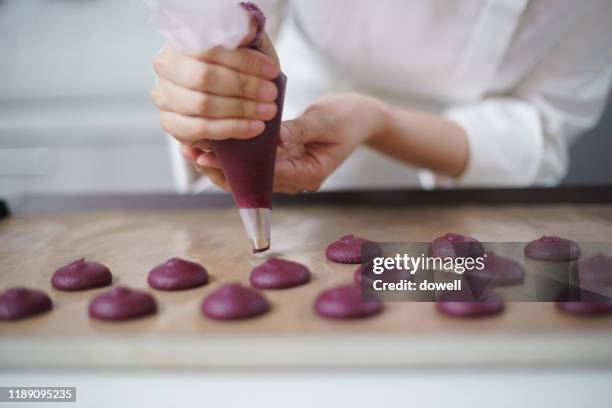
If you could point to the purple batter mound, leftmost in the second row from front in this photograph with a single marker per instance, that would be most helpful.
(81, 275)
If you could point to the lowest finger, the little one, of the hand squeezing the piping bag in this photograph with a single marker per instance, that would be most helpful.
(190, 129)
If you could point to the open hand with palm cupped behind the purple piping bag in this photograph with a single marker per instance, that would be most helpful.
(313, 145)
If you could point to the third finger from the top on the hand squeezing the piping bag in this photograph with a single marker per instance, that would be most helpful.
(170, 97)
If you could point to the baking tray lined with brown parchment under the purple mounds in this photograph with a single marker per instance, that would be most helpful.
(131, 234)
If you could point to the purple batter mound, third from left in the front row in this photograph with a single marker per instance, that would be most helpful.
(233, 302)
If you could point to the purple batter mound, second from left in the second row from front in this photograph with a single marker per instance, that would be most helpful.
(178, 274)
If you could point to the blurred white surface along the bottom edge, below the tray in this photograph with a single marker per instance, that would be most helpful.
(519, 387)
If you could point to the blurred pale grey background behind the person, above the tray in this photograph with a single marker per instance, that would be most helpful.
(75, 114)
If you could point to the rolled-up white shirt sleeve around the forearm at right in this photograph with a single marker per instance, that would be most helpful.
(522, 138)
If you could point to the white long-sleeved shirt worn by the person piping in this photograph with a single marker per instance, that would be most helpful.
(522, 77)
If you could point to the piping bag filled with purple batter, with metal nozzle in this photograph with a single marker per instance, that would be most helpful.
(195, 26)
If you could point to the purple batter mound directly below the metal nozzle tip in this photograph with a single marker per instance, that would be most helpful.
(279, 274)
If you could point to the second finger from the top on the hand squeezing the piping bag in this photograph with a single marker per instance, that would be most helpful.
(197, 75)
